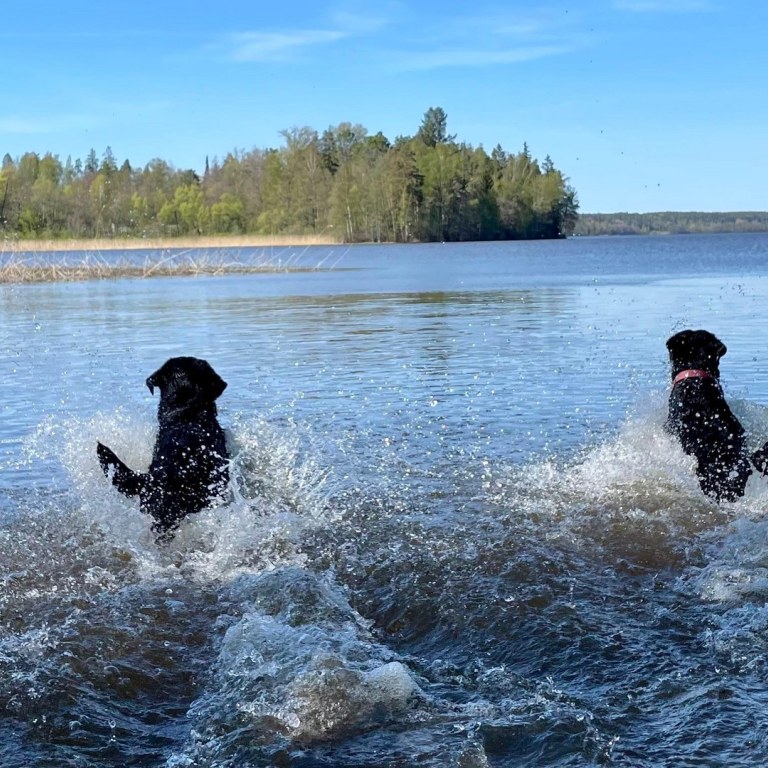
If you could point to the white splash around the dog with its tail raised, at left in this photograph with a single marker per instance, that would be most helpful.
(278, 491)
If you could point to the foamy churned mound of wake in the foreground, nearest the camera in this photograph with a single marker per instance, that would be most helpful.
(300, 662)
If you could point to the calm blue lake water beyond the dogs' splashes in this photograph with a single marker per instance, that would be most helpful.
(492, 340)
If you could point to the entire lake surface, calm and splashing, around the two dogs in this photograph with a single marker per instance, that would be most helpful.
(459, 537)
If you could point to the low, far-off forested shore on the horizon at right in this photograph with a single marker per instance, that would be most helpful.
(670, 222)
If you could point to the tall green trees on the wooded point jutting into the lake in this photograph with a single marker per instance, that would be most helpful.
(344, 183)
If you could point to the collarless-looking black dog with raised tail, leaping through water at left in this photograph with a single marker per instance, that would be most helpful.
(189, 466)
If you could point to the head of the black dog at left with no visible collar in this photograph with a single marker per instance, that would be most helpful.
(186, 382)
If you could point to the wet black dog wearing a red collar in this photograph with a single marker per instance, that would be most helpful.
(701, 418)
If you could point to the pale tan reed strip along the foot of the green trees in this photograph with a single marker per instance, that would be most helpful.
(16, 246)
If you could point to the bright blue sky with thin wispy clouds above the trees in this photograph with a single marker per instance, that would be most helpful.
(645, 105)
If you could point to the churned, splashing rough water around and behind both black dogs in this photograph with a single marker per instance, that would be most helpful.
(316, 615)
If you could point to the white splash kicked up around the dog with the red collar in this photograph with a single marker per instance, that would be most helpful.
(631, 495)
